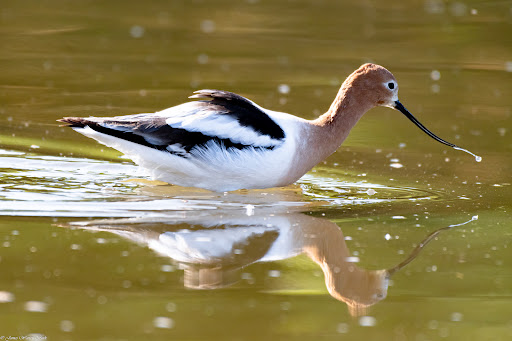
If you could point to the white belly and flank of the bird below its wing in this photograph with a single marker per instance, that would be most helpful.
(214, 167)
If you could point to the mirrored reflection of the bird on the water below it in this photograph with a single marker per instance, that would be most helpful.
(212, 249)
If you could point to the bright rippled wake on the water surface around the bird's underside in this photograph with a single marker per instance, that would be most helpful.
(39, 185)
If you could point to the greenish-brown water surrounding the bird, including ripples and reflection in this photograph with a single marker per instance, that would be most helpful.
(394, 237)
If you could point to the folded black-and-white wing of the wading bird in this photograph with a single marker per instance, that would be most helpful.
(222, 117)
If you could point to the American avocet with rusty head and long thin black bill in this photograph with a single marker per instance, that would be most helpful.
(226, 142)
